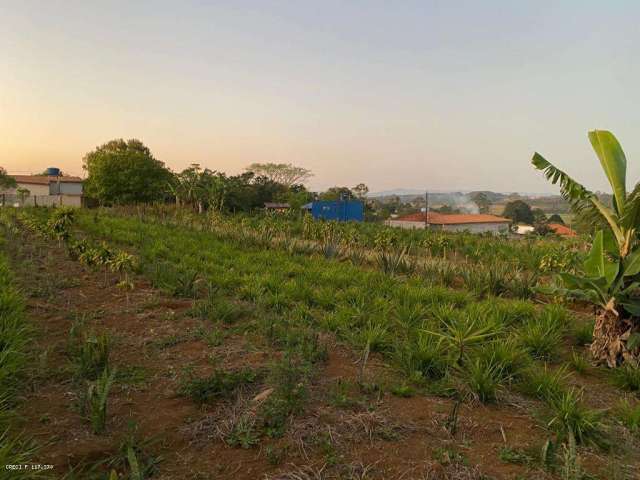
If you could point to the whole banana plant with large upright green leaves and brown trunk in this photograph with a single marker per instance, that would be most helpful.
(611, 272)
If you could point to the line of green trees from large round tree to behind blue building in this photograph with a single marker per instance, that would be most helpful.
(126, 172)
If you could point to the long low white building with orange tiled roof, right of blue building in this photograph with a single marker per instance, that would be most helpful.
(474, 223)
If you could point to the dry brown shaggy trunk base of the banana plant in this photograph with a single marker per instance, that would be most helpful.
(610, 335)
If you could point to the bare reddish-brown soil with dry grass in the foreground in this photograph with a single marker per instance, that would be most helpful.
(374, 436)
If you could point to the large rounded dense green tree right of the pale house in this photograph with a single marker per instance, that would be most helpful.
(122, 172)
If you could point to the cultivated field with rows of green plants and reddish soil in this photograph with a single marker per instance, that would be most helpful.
(187, 346)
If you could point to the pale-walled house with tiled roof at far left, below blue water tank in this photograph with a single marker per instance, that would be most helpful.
(44, 191)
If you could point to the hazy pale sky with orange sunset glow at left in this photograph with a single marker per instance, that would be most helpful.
(414, 94)
